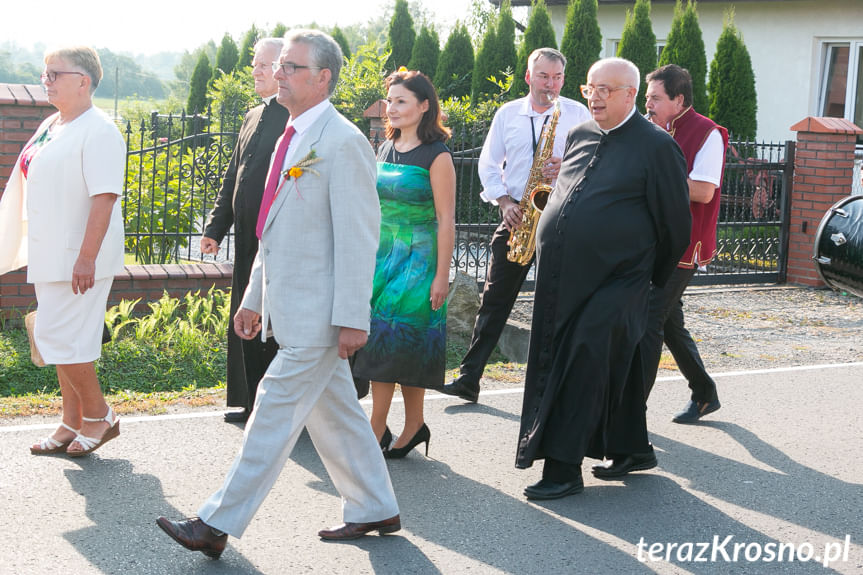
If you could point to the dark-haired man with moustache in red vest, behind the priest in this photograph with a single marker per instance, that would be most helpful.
(669, 105)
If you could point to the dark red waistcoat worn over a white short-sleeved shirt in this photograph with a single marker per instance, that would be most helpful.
(690, 130)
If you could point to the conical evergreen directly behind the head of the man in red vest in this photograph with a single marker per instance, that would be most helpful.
(685, 47)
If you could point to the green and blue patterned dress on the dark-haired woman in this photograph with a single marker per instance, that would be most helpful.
(407, 340)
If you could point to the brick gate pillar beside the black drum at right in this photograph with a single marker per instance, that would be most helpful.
(823, 175)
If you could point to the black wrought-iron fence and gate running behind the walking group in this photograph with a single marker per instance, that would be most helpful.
(175, 165)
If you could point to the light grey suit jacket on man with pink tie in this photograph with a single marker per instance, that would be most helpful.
(316, 259)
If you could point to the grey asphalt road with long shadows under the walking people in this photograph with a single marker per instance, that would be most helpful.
(778, 465)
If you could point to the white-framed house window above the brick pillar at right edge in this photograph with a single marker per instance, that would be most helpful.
(842, 81)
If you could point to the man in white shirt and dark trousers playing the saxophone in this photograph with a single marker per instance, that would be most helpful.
(504, 167)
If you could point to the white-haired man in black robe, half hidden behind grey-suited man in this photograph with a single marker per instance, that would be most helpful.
(238, 204)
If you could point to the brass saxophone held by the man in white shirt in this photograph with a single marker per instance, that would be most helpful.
(522, 242)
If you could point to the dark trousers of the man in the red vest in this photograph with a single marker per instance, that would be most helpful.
(665, 323)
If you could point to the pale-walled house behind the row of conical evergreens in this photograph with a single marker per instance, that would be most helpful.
(807, 55)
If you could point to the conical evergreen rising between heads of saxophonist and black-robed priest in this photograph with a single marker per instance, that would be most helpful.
(581, 44)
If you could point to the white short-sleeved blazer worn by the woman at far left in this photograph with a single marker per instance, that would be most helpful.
(43, 217)
